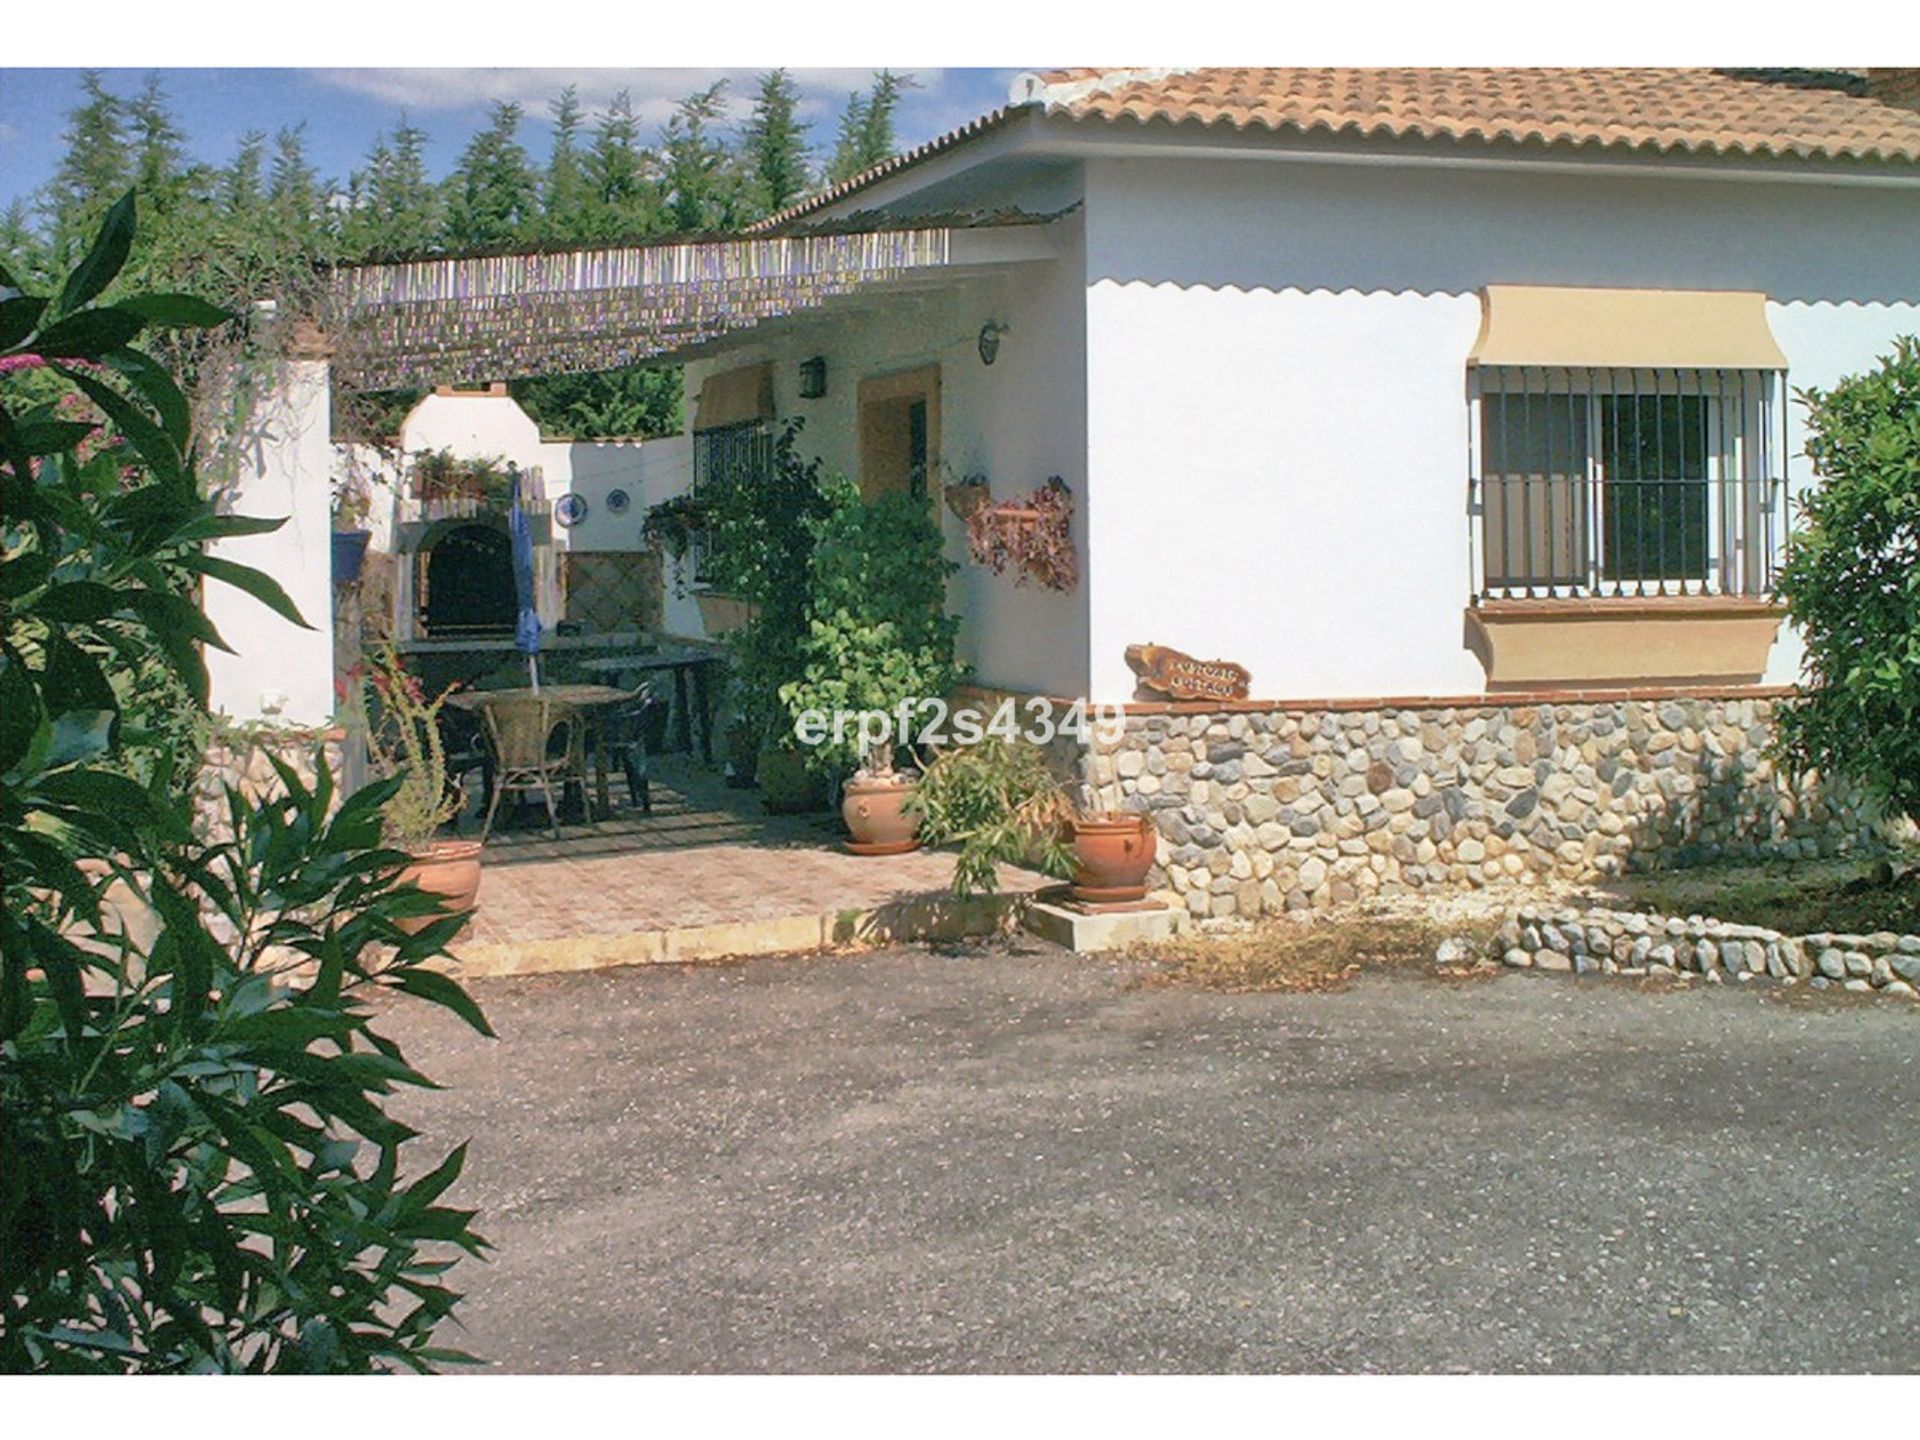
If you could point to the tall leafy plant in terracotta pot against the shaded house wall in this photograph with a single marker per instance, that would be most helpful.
(878, 638)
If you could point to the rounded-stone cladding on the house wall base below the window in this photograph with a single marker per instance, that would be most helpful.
(1285, 809)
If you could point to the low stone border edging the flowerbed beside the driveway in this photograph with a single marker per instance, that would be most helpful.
(1629, 944)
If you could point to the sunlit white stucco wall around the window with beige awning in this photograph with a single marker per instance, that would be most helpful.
(1276, 385)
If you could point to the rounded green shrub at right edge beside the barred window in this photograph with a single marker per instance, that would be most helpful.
(1852, 585)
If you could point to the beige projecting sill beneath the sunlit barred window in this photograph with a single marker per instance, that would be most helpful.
(1652, 640)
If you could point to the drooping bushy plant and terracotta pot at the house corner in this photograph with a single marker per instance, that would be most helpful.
(999, 804)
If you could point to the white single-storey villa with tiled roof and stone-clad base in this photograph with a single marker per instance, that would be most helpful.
(1454, 406)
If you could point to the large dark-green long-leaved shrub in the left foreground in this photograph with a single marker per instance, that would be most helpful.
(197, 1166)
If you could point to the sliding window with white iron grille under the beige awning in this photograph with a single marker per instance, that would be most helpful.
(1625, 483)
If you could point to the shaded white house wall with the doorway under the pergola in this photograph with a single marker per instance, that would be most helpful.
(1019, 421)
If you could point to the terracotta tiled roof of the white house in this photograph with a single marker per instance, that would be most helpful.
(1710, 112)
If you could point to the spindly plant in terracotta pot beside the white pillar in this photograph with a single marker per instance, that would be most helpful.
(404, 740)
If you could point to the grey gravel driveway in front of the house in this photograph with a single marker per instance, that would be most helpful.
(1022, 1161)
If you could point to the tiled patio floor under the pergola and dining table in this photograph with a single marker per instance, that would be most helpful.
(617, 890)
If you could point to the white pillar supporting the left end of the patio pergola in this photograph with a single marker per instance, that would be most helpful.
(277, 671)
